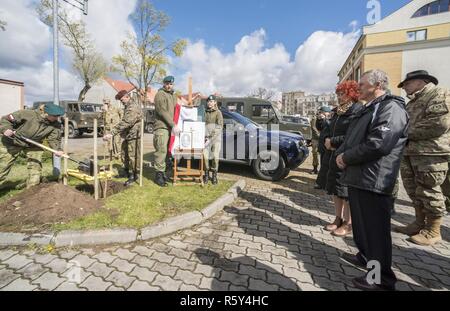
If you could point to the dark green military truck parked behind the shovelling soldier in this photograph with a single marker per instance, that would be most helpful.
(81, 116)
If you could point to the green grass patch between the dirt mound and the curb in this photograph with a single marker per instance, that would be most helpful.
(139, 207)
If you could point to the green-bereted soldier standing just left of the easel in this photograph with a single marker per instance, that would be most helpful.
(165, 103)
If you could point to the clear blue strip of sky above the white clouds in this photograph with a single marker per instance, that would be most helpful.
(290, 22)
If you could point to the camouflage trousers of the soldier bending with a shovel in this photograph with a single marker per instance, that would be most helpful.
(10, 154)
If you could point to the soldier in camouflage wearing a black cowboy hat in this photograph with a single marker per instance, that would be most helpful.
(426, 163)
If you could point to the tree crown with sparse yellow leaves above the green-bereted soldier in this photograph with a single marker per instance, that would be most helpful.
(144, 54)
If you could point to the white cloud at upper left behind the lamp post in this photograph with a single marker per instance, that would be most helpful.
(26, 53)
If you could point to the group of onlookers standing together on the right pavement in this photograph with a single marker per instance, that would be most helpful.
(362, 144)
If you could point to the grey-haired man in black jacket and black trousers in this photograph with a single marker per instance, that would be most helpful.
(371, 156)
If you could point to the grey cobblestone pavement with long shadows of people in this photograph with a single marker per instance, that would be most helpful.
(269, 239)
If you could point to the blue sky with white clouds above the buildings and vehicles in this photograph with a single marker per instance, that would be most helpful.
(236, 46)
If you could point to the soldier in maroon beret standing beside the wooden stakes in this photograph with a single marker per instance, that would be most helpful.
(129, 129)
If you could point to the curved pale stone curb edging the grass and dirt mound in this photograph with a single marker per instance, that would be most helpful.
(123, 236)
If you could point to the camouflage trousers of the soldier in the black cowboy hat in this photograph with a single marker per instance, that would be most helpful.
(427, 182)
